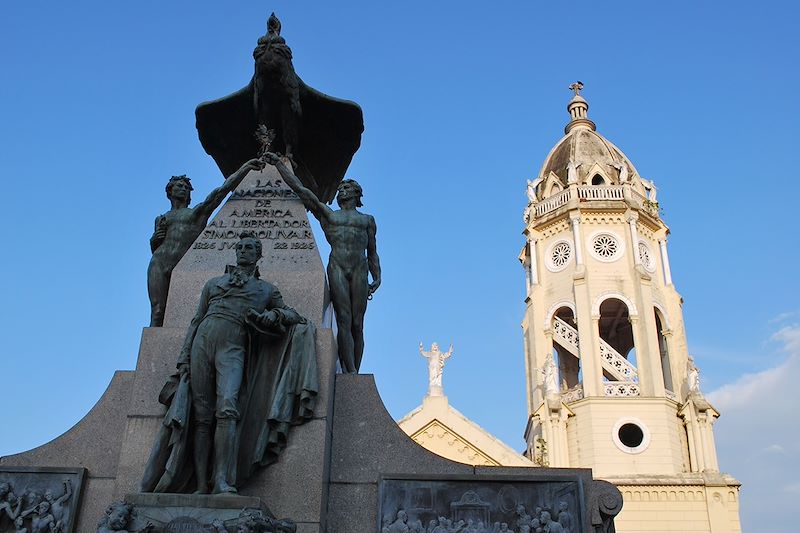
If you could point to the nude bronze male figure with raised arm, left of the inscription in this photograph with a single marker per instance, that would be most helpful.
(177, 229)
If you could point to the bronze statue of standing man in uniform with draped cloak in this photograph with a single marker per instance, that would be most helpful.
(246, 373)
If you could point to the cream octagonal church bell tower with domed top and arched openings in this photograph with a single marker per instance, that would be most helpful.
(610, 383)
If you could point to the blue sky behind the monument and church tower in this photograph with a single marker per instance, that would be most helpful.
(462, 101)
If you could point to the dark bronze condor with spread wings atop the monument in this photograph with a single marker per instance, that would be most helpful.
(319, 134)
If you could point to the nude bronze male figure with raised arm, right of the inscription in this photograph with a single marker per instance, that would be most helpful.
(351, 235)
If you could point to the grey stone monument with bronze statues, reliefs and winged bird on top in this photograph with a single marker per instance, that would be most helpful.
(235, 418)
